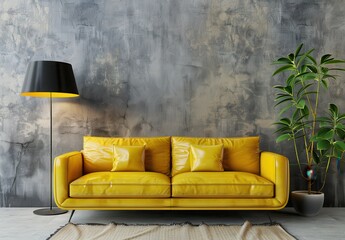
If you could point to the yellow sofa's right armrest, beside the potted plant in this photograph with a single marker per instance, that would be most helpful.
(275, 168)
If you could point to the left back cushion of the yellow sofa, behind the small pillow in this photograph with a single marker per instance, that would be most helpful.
(98, 153)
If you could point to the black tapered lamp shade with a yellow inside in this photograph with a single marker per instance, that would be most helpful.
(49, 79)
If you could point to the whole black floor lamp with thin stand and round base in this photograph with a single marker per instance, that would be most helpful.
(50, 79)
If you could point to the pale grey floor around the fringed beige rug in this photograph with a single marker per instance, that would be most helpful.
(21, 223)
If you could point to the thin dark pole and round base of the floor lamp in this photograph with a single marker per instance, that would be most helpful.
(50, 211)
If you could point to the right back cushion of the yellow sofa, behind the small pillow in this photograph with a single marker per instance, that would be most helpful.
(240, 154)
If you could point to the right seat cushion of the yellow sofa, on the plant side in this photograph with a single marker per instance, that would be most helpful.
(221, 184)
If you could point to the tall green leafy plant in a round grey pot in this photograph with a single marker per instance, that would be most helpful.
(317, 134)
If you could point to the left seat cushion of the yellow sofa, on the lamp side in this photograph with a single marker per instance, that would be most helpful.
(121, 185)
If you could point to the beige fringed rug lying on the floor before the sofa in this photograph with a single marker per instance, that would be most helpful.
(173, 232)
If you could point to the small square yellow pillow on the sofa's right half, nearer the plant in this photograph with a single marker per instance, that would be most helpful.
(206, 158)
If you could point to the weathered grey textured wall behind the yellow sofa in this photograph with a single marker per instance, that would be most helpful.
(151, 67)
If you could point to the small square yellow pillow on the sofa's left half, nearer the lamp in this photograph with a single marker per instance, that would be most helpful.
(129, 159)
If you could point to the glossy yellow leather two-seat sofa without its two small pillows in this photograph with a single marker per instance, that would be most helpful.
(251, 179)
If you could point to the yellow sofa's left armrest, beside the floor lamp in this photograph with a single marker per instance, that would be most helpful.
(67, 168)
